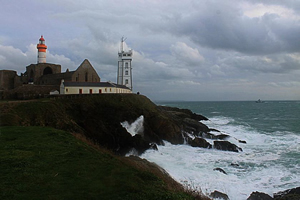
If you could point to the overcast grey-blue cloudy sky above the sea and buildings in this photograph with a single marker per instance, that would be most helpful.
(183, 50)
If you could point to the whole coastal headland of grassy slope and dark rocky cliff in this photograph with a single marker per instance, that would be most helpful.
(74, 146)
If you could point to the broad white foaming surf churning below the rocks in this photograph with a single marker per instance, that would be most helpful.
(262, 166)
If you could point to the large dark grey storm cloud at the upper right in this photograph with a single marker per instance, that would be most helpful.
(225, 27)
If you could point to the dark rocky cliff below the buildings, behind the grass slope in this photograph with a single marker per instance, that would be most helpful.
(99, 118)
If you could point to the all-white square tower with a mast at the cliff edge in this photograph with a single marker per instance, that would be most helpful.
(124, 76)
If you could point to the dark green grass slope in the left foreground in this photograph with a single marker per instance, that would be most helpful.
(46, 163)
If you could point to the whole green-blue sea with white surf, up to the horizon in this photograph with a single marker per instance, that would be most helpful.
(269, 162)
